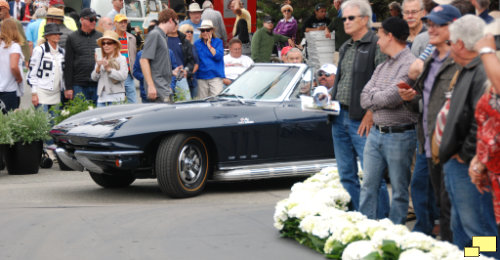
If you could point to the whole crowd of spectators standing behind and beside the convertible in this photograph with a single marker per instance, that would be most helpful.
(422, 88)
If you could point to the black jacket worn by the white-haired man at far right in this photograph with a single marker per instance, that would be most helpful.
(460, 131)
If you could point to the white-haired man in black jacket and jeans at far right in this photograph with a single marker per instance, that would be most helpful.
(471, 211)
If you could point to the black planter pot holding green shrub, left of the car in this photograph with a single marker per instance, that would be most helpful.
(24, 159)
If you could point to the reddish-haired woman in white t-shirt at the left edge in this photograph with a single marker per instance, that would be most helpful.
(11, 78)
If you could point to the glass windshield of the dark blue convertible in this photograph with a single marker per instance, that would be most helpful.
(261, 83)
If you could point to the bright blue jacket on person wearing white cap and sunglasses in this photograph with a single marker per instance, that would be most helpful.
(211, 66)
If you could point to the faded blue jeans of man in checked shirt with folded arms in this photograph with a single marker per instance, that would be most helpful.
(393, 151)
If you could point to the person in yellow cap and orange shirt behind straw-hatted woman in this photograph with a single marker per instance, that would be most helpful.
(129, 51)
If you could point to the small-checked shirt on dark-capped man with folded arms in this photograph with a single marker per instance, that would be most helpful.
(381, 96)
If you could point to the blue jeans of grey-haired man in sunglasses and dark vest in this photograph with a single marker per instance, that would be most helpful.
(348, 145)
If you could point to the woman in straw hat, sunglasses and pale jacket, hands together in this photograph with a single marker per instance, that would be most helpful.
(111, 71)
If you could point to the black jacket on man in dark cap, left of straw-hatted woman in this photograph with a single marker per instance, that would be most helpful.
(79, 58)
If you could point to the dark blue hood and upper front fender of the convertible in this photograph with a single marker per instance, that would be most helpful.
(126, 120)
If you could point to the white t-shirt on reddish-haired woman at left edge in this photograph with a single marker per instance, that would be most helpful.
(7, 81)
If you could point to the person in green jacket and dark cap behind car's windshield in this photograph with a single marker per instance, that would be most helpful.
(264, 39)
